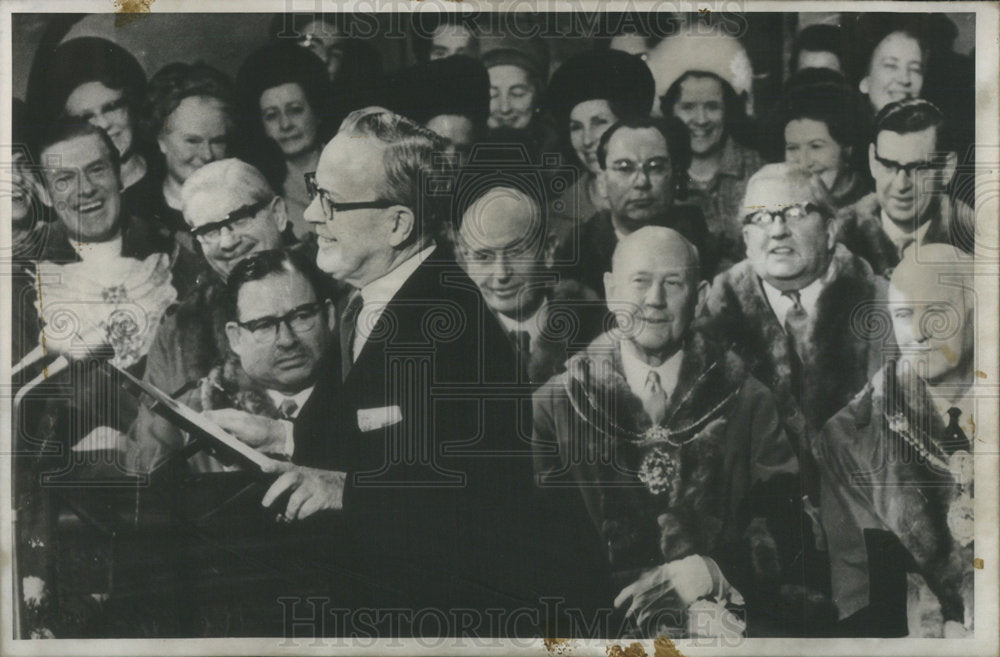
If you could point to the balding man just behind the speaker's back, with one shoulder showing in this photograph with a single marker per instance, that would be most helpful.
(506, 248)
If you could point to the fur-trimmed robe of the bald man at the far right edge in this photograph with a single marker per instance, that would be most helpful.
(877, 490)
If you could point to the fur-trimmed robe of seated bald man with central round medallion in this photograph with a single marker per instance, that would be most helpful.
(732, 496)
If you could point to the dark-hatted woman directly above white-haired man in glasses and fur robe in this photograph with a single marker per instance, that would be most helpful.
(818, 118)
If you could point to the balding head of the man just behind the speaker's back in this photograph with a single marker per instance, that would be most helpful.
(505, 248)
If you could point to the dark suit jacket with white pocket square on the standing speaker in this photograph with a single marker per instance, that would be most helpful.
(438, 502)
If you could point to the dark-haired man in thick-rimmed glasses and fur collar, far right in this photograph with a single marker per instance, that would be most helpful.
(912, 160)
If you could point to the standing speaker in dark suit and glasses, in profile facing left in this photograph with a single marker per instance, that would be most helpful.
(411, 442)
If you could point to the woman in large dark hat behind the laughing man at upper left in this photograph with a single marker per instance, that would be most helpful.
(94, 80)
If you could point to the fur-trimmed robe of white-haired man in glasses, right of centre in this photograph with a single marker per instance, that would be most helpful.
(845, 341)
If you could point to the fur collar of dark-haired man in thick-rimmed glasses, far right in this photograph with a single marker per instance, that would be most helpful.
(860, 229)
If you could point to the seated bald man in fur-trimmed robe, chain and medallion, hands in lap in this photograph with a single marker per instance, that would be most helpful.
(673, 455)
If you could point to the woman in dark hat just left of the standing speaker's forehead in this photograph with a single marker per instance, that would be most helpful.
(286, 106)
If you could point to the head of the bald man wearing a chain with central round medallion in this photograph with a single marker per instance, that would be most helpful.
(653, 289)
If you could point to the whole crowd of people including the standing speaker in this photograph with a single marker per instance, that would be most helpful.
(719, 385)
